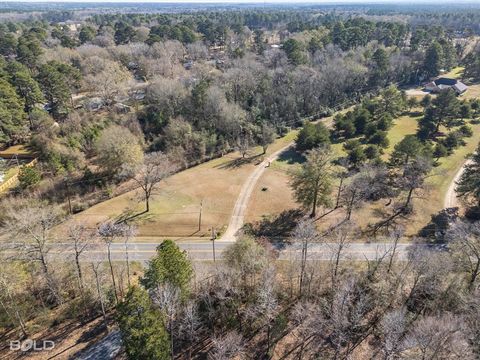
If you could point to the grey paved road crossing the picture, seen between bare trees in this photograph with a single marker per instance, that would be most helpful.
(203, 251)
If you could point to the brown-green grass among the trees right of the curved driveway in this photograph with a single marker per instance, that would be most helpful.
(278, 196)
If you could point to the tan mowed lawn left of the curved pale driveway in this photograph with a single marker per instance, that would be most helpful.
(175, 207)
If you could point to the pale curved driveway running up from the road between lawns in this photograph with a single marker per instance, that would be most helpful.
(238, 213)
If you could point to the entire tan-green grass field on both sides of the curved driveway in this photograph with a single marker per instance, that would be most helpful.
(175, 208)
